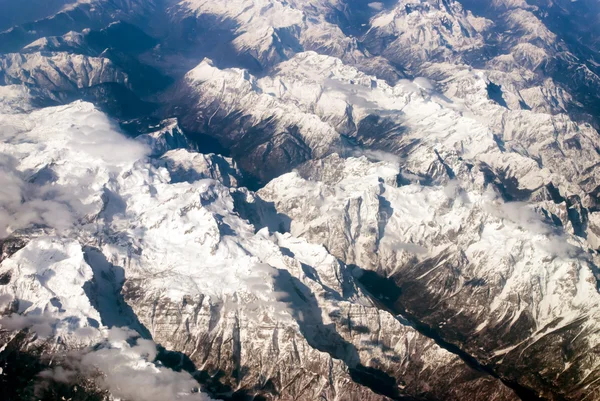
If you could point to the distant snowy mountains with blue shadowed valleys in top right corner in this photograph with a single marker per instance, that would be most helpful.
(509, 41)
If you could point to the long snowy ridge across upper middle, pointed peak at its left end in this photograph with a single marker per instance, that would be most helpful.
(311, 104)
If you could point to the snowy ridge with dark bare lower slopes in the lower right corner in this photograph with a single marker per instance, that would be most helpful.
(437, 244)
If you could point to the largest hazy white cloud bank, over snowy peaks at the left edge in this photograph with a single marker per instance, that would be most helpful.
(53, 163)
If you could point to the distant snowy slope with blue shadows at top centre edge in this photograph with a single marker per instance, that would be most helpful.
(265, 32)
